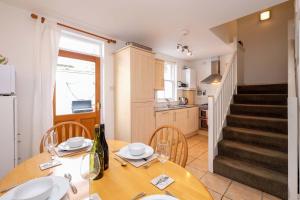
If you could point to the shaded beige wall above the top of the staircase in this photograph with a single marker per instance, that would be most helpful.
(265, 43)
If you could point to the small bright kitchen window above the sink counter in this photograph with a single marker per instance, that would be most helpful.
(170, 73)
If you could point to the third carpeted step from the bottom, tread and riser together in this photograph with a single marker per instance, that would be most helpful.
(261, 138)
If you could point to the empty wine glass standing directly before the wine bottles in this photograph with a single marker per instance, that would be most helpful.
(90, 168)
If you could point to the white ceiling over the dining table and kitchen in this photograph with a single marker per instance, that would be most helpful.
(155, 23)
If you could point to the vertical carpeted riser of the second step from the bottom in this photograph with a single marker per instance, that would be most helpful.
(274, 163)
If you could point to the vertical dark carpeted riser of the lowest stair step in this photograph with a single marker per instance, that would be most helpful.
(272, 187)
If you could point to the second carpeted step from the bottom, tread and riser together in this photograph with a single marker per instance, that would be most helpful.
(264, 157)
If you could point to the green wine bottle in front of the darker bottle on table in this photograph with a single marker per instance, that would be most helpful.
(97, 149)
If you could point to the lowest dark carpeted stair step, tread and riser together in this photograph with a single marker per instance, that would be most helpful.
(264, 179)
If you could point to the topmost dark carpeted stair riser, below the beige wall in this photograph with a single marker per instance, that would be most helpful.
(265, 89)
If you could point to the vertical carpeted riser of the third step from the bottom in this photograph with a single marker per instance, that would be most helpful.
(262, 141)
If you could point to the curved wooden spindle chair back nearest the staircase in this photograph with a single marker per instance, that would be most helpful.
(177, 141)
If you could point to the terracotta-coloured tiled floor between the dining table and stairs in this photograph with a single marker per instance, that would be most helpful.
(221, 188)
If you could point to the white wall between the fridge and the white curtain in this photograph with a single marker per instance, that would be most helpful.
(16, 39)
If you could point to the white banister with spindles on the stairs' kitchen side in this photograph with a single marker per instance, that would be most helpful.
(218, 106)
